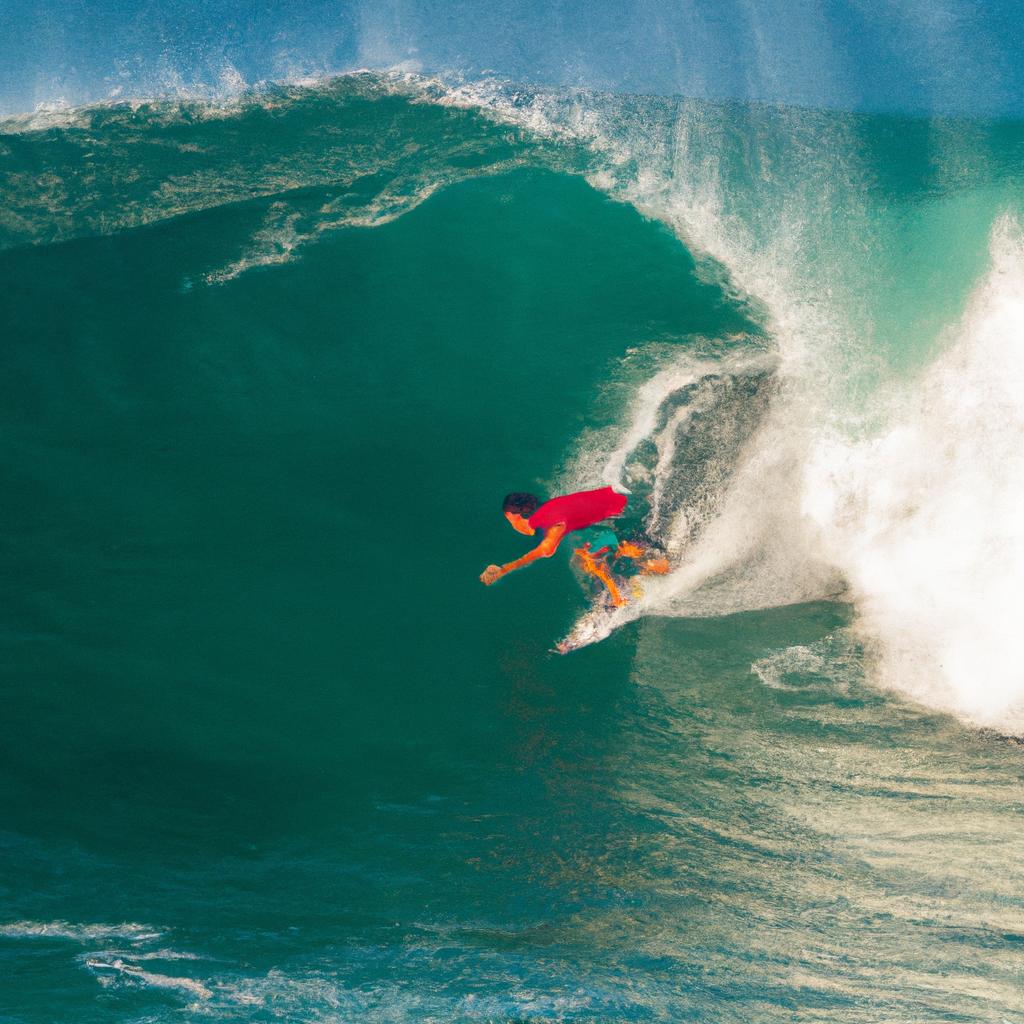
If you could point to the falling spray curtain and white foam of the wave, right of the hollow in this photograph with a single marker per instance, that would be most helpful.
(880, 456)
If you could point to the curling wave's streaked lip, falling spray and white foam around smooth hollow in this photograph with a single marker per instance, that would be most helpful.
(868, 441)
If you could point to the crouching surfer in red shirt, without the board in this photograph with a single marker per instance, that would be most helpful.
(565, 516)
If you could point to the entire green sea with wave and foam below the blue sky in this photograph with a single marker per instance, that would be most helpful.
(270, 750)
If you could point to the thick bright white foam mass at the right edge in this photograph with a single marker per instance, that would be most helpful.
(925, 519)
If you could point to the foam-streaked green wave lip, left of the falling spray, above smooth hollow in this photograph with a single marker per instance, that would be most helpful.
(361, 149)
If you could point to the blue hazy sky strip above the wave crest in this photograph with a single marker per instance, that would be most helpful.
(958, 57)
